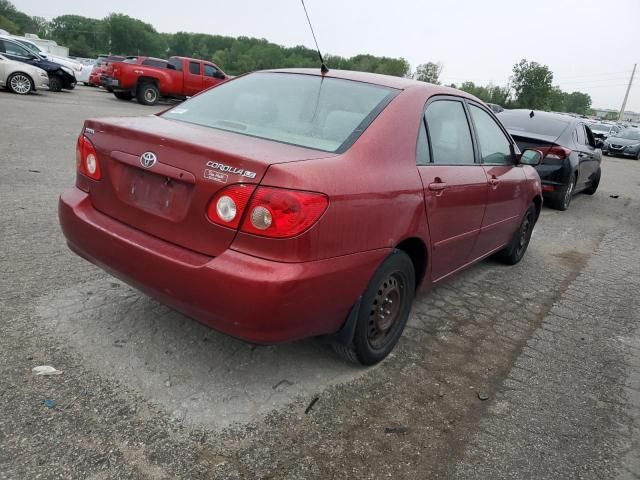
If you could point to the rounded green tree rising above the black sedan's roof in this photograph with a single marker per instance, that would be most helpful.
(531, 83)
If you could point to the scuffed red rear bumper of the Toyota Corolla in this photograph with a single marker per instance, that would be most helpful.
(258, 300)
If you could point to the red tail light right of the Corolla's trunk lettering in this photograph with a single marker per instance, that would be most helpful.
(280, 213)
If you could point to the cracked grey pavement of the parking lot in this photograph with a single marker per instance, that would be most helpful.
(148, 393)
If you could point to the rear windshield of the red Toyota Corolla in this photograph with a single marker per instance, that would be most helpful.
(306, 110)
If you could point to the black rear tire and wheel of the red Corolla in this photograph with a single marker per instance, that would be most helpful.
(383, 313)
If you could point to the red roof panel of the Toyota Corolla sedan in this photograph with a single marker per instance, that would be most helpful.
(390, 81)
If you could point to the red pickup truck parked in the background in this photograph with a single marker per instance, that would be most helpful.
(180, 77)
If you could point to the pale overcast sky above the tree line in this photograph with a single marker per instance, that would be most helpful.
(590, 45)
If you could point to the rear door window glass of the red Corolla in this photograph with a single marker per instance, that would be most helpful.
(449, 133)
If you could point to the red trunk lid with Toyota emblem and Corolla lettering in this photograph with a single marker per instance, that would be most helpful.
(168, 197)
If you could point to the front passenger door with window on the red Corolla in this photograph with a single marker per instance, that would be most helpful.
(505, 196)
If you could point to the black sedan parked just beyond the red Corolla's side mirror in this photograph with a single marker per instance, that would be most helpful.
(572, 155)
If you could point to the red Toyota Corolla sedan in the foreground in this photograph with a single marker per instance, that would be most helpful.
(288, 204)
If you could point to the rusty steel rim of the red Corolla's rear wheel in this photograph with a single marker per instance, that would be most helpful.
(386, 310)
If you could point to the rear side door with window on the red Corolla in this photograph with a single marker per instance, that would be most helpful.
(455, 185)
